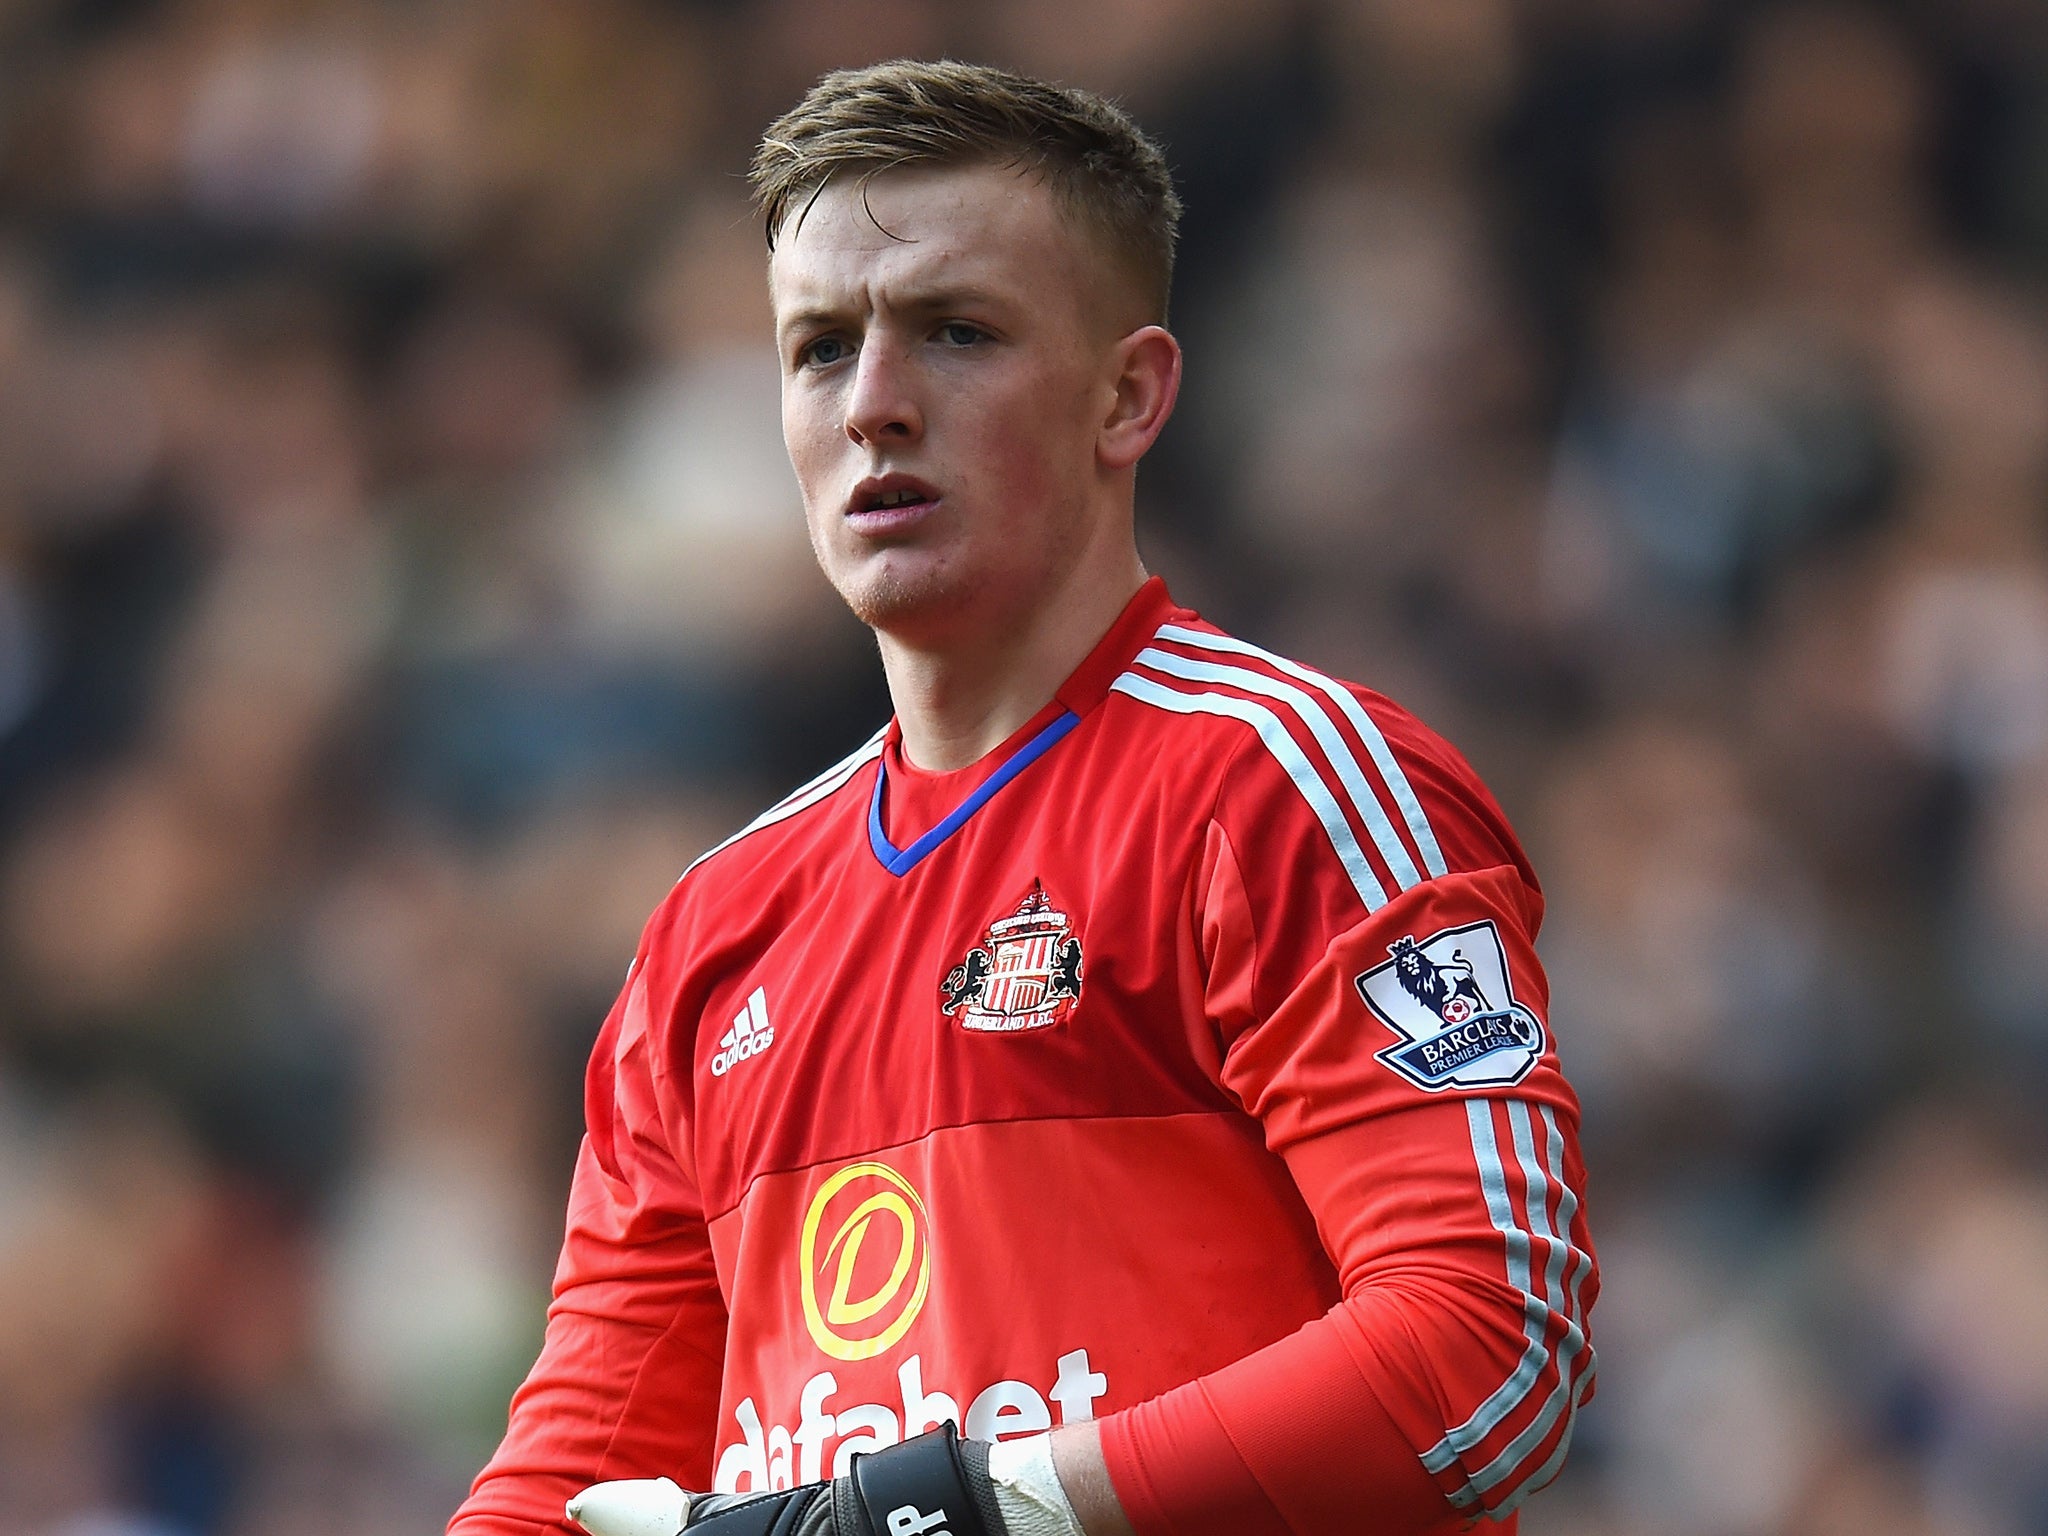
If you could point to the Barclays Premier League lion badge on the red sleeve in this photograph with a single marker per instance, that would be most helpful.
(1455, 1013)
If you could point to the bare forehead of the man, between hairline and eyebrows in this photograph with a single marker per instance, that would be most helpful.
(914, 228)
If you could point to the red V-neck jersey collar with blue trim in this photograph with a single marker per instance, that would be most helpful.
(988, 777)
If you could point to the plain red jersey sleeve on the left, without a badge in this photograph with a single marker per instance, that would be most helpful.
(628, 1381)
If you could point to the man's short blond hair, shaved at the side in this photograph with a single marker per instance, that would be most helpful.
(1103, 171)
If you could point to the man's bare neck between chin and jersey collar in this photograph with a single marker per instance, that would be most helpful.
(964, 697)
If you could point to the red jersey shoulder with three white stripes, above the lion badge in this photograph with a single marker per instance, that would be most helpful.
(1322, 775)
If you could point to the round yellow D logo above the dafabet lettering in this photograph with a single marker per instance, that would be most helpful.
(867, 1308)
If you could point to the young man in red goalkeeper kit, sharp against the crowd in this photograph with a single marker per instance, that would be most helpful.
(1136, 1054)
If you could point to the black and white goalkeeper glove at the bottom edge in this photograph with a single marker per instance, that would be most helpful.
(933, 1486)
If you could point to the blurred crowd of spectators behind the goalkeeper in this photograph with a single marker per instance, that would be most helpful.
(400, 583)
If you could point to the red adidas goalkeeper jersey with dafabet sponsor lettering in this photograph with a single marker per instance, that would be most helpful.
(1185, 1064)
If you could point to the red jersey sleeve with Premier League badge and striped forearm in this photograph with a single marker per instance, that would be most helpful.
(1443, 1177)
